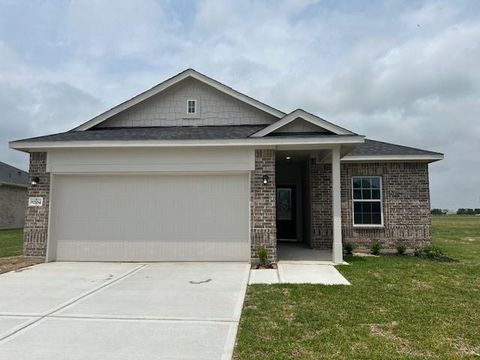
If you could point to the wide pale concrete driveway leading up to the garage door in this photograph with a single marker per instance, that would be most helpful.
(121, 310)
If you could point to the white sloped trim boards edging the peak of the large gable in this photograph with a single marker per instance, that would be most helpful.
(189, 73)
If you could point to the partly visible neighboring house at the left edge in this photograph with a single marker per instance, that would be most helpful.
(13, 196)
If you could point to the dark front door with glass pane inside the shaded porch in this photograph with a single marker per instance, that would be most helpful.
(286, 213)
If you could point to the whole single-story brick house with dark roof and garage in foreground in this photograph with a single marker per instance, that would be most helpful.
(192, 170)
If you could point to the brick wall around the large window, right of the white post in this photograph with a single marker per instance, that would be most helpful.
(406, 205)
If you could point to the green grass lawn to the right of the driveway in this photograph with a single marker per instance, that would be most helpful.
(397, 307)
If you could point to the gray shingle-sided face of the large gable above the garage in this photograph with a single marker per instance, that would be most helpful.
(169, 108)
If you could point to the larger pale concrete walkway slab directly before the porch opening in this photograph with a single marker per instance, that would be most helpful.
(310, 274)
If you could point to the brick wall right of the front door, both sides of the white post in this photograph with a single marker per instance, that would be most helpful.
(406, 205)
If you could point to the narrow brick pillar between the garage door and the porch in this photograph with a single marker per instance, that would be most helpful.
(263, 214)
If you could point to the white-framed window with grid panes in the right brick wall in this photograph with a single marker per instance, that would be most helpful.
(367, 200)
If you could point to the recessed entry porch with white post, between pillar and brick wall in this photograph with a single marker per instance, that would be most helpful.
(308, 209)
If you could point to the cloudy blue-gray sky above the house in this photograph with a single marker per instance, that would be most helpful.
(406, 72)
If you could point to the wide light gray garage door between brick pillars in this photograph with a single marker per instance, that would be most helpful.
(150, 218)
